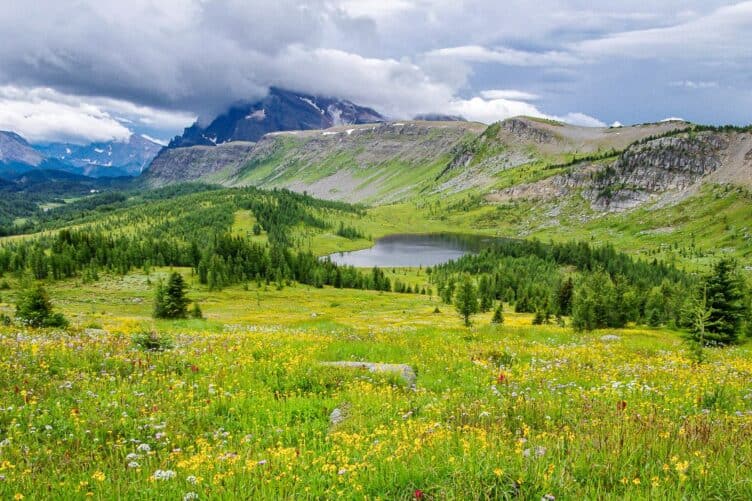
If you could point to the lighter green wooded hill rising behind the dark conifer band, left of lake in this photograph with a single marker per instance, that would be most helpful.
(144, 209)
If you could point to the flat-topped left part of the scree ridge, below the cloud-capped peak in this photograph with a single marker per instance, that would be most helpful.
(374, 163)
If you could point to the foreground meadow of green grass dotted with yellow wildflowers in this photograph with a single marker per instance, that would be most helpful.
(239, 407)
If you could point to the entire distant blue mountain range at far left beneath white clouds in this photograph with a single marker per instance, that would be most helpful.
(110, 159)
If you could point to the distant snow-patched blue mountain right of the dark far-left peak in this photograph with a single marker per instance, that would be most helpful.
(109, 159)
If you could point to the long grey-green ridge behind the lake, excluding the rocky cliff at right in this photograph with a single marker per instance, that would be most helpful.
(394, 161)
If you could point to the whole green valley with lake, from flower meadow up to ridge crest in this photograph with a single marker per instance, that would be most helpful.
(183, 333)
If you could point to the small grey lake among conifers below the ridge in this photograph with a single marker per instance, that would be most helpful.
(412, 250)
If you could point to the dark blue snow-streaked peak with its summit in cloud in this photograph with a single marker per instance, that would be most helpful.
(280, 110)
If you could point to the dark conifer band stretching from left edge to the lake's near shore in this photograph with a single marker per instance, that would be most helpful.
(222, 261)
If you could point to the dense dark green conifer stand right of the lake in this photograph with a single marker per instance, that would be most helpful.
(596, 285)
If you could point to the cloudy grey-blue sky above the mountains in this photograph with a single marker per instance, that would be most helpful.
(98, 70)
